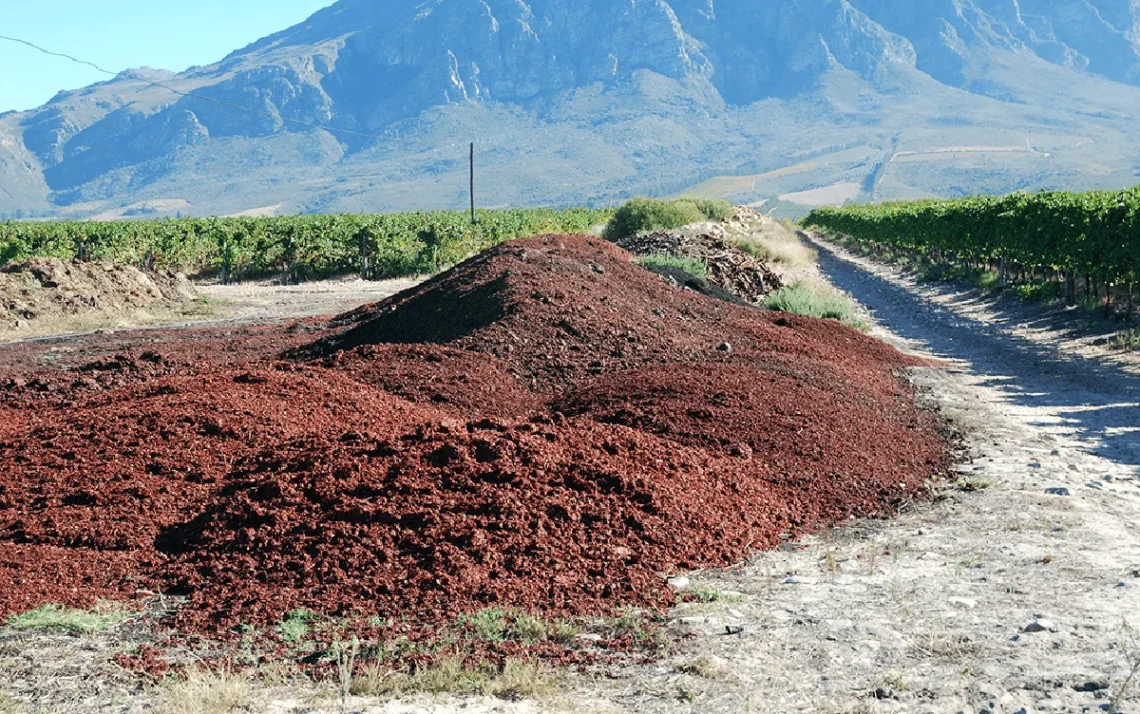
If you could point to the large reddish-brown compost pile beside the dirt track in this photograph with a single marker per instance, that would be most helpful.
(547, 427)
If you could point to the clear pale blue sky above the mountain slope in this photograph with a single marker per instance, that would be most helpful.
(118, 35)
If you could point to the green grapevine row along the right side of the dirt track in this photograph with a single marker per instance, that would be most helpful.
(1095, 234)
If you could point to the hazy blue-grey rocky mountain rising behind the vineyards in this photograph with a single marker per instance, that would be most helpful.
(371, 107)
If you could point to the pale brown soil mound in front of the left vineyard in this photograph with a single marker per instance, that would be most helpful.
(48, 288)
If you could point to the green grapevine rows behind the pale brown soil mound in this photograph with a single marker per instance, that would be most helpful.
(304, 247)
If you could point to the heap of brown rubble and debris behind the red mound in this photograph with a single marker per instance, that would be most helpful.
(729, 267)
